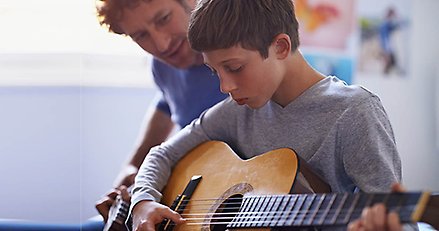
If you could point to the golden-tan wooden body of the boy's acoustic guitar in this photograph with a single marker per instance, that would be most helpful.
(225, 175)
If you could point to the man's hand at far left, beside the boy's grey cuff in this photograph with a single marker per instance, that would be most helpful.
(104, 204)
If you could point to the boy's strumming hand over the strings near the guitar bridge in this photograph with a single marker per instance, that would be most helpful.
(146, 214)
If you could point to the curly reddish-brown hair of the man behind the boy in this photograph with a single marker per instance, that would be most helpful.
(110, 12)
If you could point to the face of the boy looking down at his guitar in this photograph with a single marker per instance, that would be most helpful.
(245, 75)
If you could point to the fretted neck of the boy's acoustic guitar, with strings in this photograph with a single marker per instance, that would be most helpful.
(323, 210)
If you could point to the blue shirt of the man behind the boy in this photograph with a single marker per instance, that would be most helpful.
(185, 92)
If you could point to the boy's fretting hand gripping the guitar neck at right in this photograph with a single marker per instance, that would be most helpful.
(375, 217)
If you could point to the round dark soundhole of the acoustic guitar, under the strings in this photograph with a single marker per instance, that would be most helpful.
(226, 212)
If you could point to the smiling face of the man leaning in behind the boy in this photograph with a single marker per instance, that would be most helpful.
(160, 28)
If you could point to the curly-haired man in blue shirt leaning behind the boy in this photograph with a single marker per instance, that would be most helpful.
(187, 88)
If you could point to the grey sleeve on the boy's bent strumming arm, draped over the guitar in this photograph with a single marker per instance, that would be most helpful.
(157, 166)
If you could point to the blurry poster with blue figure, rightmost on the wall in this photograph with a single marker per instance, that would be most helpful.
(384, 38)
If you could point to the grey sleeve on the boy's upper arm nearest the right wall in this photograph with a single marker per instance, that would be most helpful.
(368, 147)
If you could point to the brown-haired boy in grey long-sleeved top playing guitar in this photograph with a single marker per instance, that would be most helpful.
(276, 100)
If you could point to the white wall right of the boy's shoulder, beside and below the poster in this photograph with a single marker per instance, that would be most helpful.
(411, 102)
